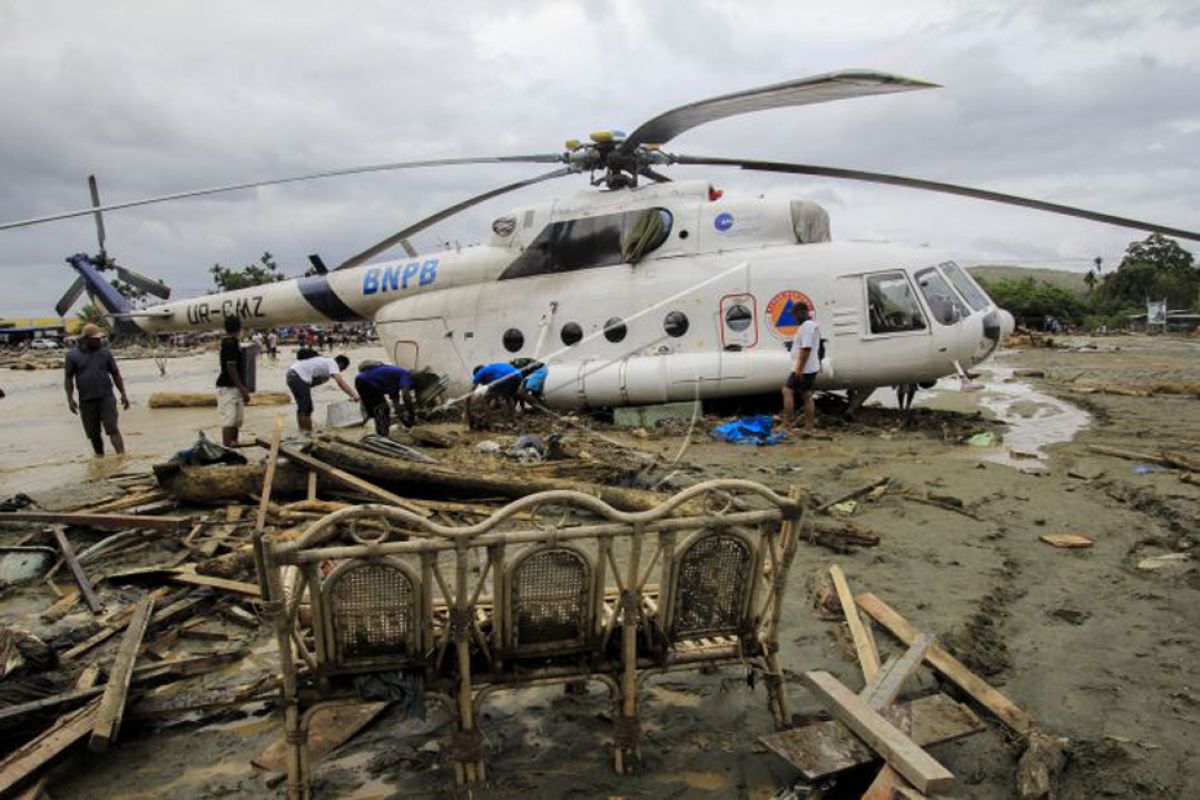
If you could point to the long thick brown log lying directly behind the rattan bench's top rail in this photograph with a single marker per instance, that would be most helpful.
(477, 483)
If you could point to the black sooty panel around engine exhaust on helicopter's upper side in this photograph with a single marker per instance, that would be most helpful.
(589, 243)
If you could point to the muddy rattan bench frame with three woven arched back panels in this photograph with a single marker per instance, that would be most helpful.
(572, 600)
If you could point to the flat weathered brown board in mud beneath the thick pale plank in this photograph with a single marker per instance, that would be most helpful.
(826, 749)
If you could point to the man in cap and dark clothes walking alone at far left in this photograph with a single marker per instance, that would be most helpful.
(93, 369)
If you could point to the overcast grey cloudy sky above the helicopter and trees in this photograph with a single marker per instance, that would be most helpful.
(1084, 104)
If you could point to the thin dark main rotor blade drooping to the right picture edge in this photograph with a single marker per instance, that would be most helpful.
(937, 187)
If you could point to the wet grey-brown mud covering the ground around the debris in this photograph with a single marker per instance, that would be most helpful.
(1096, 649)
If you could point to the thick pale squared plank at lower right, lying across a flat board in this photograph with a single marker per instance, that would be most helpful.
(902, 753)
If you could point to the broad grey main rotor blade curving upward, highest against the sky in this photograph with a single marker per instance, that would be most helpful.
(803, 92)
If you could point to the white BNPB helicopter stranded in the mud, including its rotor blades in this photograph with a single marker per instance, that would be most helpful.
(639, 294)
